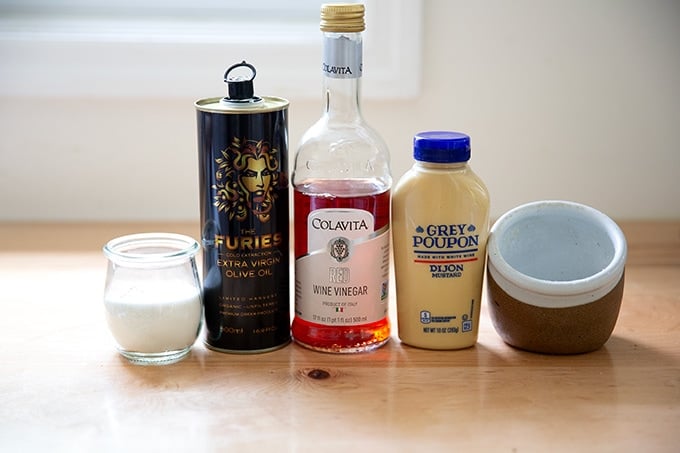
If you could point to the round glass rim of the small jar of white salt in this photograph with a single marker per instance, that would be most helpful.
(149, 248)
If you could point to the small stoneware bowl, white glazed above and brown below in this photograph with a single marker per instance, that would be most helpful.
(555, 277)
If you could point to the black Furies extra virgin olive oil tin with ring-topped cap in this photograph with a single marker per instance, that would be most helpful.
(244, 208)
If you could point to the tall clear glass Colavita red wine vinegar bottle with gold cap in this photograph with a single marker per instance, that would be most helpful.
(341, 183)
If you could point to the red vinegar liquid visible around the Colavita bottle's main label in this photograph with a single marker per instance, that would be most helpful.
(340, 194)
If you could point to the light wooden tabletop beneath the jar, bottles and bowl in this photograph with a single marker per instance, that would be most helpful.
(63, 387)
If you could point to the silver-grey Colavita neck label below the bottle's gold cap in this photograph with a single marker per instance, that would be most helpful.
(342, 58)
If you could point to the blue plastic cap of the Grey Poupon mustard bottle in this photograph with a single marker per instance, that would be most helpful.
(441, 147)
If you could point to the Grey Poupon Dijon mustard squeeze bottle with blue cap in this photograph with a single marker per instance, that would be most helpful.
(440, 225)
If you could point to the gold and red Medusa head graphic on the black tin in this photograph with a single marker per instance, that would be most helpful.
(247, 173)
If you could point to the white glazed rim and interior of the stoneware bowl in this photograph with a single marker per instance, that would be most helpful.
(556, 254)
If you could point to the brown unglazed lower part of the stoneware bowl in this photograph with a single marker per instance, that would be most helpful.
(571, 330)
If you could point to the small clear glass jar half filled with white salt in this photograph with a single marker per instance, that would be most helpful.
(152, 296)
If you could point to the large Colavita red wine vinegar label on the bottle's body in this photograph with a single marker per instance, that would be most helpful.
(338, 281)
